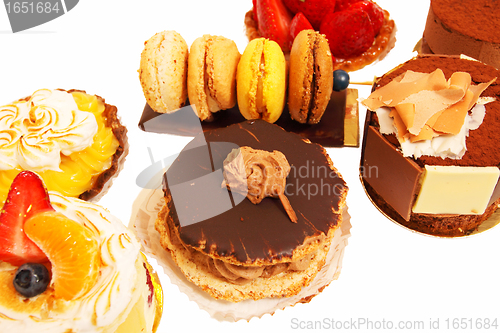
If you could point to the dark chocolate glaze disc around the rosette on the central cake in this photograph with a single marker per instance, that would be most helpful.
(238, 228)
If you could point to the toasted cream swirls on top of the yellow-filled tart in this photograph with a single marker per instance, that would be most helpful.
(35, 132)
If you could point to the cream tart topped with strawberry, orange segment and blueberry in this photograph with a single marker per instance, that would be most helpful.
(67, 265)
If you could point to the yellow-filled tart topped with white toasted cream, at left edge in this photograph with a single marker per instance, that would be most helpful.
(73, 140)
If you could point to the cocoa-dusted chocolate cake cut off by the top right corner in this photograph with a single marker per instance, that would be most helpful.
(467, 27)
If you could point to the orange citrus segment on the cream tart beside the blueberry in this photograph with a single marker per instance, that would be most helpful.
(72, 250)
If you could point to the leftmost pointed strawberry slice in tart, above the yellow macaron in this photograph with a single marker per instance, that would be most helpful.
(274, 21)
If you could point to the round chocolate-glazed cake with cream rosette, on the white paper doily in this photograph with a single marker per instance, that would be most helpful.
(251, 211)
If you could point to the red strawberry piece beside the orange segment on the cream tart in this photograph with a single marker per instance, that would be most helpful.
(27, 196)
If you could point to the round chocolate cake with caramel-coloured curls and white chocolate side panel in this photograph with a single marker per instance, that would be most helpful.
(431, 148)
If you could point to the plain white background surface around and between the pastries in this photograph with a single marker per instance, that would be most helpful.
(389, 273)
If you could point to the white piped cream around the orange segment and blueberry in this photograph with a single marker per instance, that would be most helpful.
(120, 285)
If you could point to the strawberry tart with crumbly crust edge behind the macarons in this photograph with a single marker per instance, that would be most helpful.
(358, 31)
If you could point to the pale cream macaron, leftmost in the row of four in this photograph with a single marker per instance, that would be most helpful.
(163, 71)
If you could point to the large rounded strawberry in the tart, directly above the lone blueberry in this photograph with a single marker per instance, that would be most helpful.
(349, 32)
